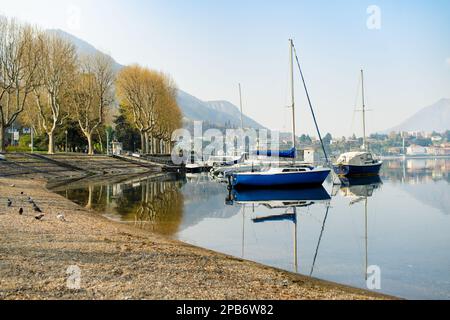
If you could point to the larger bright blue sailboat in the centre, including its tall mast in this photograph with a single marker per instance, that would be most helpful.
(285, 176)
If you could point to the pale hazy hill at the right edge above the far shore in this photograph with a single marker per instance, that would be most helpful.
(433, 118)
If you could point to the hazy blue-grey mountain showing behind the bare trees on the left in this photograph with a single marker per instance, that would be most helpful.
(217, 113)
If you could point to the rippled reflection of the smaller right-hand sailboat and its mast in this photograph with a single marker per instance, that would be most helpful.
(360, 190)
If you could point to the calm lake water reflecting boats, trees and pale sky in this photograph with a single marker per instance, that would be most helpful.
(399, 223)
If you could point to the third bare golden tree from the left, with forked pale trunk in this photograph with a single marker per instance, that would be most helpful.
(93, 93)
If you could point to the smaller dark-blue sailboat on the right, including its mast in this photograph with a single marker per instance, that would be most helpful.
(361, 163)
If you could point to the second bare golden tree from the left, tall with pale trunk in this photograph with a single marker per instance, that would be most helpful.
(56, 72)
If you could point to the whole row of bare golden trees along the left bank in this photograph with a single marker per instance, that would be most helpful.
(45, 84)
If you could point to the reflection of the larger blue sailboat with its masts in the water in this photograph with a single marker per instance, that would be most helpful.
(289, 200)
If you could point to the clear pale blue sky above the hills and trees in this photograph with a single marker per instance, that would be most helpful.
(211, 46)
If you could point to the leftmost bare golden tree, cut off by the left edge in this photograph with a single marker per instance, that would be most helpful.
(18, 63)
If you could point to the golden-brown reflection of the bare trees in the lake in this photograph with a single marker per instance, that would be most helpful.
(154, 203)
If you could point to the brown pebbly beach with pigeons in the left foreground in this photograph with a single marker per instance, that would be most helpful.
(118, 261)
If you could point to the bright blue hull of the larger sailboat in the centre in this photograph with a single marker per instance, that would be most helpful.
(280, 180)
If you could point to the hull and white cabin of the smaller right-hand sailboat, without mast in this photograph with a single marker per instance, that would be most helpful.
(357, 164)
